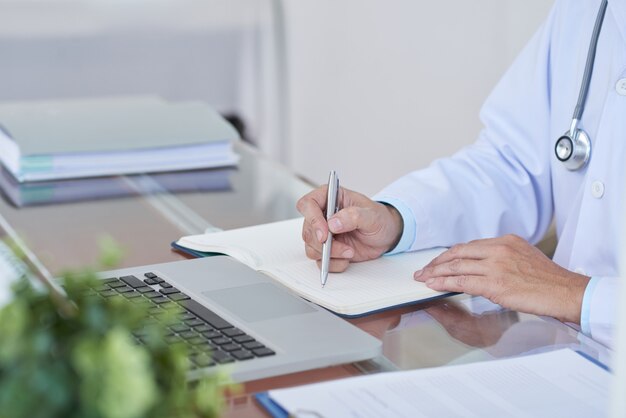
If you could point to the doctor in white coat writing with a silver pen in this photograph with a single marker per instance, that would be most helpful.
(493, 199)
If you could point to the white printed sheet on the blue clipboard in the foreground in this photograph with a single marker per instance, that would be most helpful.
(555, 384)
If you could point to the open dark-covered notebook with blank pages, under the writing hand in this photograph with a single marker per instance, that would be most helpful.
(277, 250)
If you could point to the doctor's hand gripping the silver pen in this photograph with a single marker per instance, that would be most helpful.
(362, 229)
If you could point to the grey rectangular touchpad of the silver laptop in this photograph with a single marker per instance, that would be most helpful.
(259, 302)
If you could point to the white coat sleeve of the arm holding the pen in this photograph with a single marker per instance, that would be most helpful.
(501, 184)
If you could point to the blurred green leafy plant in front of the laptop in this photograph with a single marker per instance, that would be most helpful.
(78, 356)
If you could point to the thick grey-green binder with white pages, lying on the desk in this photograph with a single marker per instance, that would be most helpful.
(77, 138)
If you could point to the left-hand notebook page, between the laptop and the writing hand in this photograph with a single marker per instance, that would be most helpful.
(256, 246)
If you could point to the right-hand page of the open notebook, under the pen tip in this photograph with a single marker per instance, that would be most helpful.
(363, 287)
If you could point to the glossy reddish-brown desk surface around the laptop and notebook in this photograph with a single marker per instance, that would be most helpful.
(459, 329)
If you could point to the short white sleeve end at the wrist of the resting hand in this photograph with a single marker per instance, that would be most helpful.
(599, 309)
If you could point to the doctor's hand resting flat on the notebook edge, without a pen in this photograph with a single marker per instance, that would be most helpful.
(510, 272)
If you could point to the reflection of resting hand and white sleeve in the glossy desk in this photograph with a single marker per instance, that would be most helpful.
(464, 329)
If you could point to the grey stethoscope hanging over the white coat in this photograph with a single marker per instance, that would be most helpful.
(573, 149)
